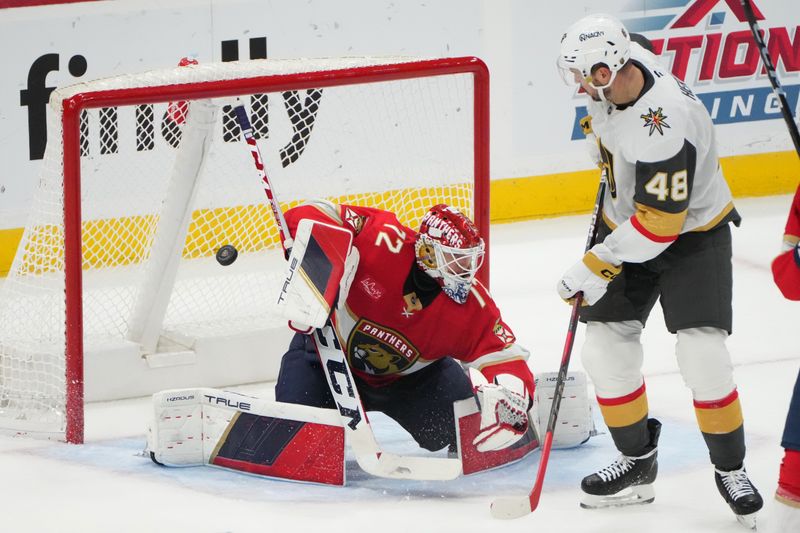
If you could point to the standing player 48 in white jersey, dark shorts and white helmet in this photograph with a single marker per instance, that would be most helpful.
(665, 235)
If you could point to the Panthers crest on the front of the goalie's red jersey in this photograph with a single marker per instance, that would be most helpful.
(378, 350)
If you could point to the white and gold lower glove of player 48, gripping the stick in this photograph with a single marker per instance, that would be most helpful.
(591, 275)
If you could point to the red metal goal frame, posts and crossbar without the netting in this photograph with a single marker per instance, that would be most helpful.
(74, 105)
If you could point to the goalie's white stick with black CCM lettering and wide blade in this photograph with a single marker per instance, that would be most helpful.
(339, 376)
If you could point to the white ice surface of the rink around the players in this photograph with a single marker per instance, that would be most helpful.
(107, 485)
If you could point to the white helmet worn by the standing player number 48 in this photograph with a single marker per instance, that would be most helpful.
(595, 40)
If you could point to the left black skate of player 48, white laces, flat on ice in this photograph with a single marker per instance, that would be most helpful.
(626, 481)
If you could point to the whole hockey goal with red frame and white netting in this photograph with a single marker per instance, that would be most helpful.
(145, 176)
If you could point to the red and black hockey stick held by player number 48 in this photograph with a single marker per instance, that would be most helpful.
(518, 506)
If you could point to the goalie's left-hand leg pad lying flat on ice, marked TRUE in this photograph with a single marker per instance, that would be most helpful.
(193, 427)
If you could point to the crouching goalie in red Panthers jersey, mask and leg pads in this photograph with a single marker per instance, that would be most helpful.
(421, 340)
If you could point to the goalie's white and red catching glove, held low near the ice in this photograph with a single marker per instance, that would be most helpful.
(504, 408)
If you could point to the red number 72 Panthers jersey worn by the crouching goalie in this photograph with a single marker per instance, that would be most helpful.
(395, 320)
